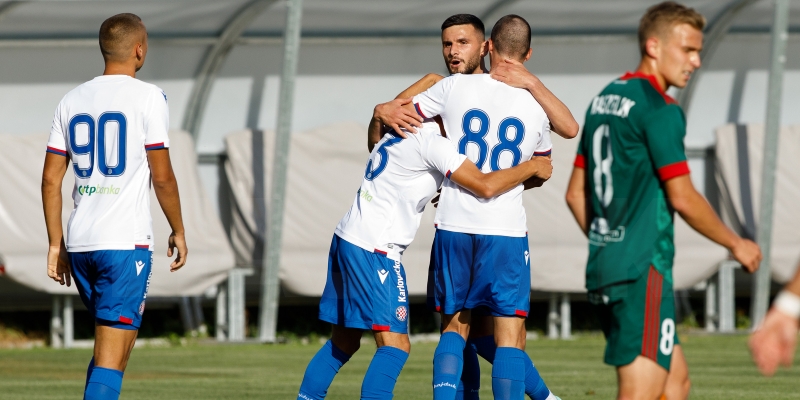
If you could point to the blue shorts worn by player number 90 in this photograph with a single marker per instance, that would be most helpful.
(113, 284)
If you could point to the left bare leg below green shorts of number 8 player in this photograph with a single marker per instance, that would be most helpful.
(642, 379)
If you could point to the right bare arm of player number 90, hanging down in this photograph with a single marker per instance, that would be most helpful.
(166, 188)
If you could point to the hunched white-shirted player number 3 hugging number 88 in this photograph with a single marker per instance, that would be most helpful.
(366, 285)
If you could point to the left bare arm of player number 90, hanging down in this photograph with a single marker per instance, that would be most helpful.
(55, 166)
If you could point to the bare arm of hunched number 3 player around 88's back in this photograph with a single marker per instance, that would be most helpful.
(498, 182)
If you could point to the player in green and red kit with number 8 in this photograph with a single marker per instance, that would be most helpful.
(630, 176)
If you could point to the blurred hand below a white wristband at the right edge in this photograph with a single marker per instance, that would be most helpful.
(774, 342)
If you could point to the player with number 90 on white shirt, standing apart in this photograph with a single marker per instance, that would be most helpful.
(111, 132)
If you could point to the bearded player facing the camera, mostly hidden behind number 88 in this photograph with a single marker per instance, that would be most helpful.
(463, 48)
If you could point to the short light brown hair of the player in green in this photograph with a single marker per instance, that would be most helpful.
(663, 16)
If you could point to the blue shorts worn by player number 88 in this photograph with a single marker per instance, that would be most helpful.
(468, 271)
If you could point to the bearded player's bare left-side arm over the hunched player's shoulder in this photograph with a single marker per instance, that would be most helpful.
(393, 115)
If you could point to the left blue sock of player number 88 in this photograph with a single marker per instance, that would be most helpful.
(447, 366)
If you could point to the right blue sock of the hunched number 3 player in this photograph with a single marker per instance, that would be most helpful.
(382, 373)
